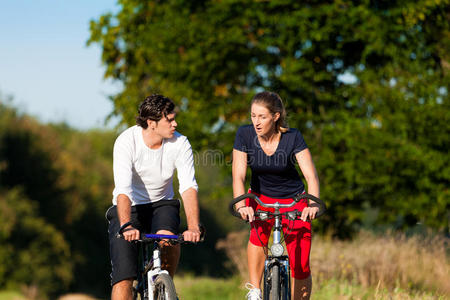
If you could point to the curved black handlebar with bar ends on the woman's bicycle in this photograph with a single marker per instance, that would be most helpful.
(277, 205)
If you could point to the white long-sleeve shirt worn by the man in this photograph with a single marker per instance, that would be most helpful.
(146, 175)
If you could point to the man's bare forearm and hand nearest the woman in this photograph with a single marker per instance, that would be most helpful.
(192, 211)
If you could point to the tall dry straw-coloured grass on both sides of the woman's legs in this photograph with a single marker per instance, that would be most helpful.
(382, 262)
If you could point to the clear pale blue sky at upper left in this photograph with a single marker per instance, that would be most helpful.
(45, 64)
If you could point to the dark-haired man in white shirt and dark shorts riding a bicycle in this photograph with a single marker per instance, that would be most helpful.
(145, 158)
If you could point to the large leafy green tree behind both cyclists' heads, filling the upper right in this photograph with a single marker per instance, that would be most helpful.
(365, 81)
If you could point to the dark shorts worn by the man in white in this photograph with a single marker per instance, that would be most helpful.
(147, 218)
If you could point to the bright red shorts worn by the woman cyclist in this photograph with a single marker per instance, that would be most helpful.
(297, 235)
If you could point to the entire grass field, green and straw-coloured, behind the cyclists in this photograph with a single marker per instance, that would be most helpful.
(370, 266)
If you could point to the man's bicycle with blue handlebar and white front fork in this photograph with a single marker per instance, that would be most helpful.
(153, 282)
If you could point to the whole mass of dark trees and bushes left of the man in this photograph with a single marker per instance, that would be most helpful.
(56, 184)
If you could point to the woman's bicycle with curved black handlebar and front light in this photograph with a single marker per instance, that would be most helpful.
(276, 266)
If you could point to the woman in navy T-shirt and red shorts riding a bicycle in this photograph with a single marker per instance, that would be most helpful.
(271, 149)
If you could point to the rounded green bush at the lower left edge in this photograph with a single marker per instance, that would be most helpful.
(33, 252)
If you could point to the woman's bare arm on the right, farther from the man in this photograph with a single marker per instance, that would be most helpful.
(308, 169)
